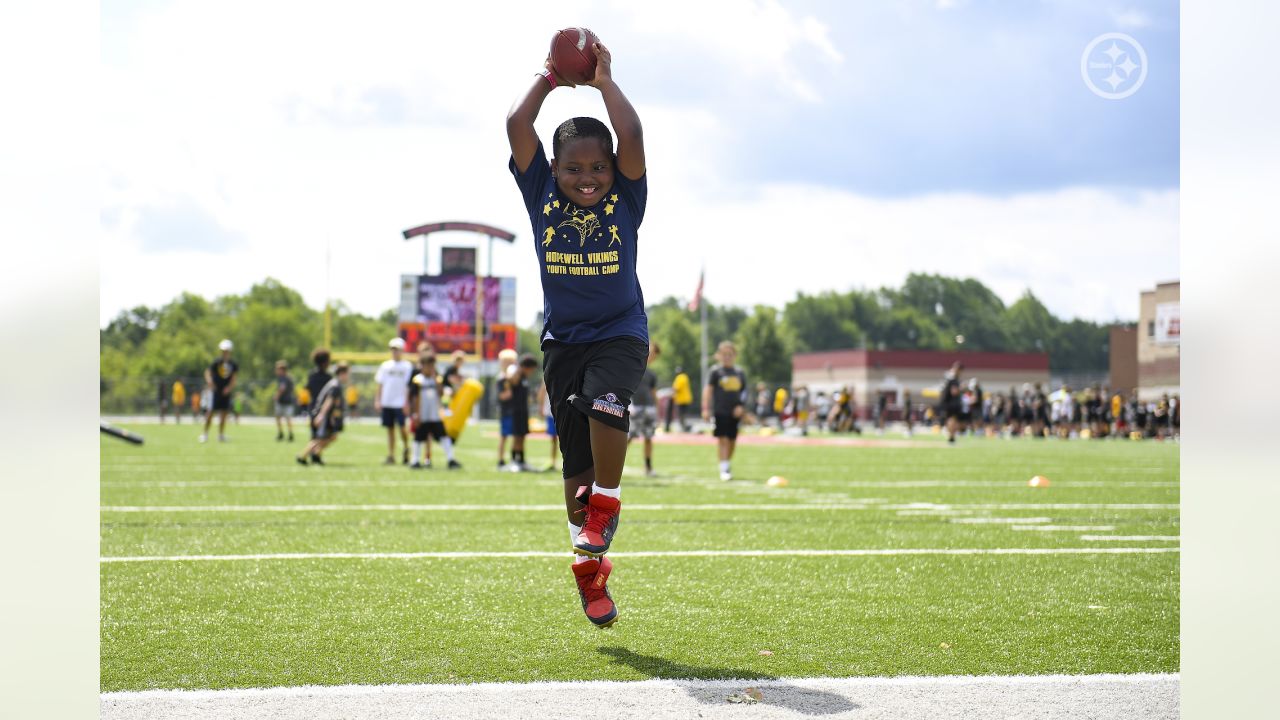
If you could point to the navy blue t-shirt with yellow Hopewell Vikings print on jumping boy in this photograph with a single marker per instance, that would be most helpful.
(587, 256)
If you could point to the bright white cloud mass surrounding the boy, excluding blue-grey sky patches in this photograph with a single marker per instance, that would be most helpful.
(304, 130)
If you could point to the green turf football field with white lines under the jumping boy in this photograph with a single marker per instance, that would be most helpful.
(189, 623)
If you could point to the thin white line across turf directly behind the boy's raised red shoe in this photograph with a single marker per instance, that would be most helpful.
(862, 553)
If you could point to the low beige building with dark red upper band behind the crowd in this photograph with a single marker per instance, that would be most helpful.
(871, 373)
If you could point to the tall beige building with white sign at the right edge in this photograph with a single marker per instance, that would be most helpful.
(1159, 341)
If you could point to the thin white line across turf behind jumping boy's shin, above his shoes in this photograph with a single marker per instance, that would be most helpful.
(913, 508)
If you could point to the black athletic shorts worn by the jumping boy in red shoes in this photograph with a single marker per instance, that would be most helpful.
(593, 380)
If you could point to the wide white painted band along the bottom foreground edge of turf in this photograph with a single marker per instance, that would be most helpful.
(1048, 698)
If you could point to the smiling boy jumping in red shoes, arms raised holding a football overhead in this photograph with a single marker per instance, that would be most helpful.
(586, 207)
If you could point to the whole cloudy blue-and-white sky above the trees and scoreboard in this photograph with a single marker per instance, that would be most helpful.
(916, 136)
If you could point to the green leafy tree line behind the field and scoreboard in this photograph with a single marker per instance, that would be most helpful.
(272, 322)
